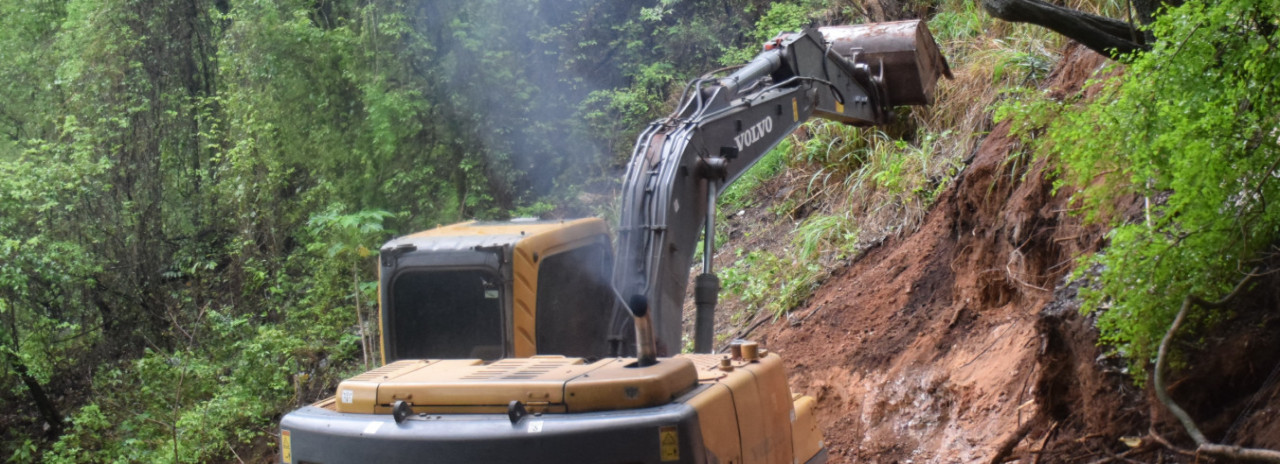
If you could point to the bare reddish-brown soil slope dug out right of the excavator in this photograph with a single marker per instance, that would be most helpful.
(963, 342)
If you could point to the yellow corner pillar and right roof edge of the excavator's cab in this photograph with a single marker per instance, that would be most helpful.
(529, 252)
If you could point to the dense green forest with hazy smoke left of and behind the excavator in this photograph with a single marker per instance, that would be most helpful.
(190, 190)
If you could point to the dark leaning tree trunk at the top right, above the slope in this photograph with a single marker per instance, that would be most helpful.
(1108, 37)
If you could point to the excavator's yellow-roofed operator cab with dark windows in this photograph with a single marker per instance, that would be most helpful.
(491, 290)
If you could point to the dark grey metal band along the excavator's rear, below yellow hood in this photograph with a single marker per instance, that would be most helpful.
(322, 436)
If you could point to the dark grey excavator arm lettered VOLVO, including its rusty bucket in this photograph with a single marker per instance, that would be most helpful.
(849, 74)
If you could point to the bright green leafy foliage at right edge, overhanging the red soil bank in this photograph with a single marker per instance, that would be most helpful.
(1191, 129)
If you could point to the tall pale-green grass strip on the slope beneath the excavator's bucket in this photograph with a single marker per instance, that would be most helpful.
(862, 185)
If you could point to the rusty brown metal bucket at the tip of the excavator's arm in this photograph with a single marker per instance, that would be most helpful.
(903, 53)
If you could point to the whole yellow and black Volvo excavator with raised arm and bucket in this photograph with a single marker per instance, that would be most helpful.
(536, 342)
